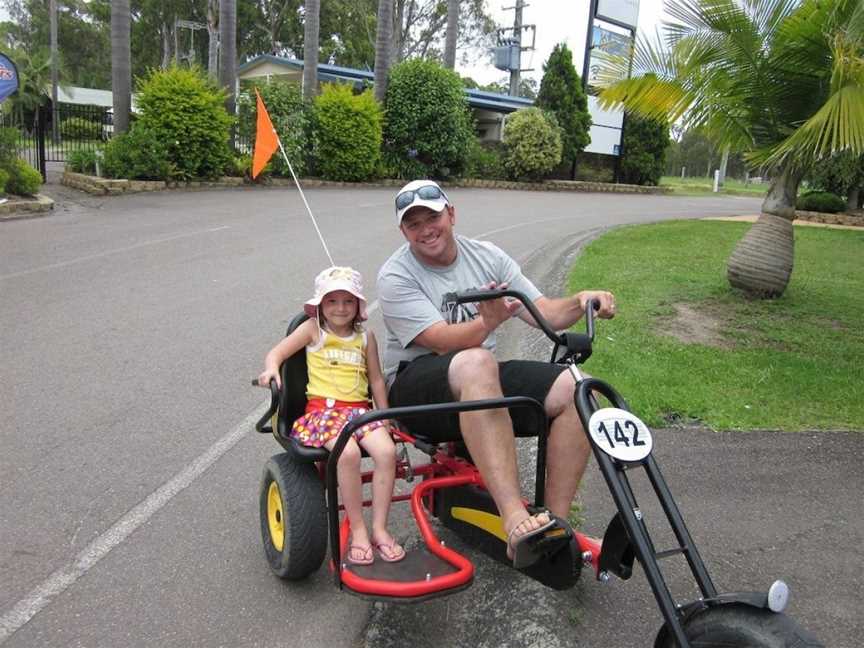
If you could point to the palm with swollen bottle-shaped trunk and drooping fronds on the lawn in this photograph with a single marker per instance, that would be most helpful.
(781, 80)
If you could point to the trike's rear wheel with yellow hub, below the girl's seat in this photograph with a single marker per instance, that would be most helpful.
(293, 517)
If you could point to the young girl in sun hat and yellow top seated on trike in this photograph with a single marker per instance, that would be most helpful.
(343, 365)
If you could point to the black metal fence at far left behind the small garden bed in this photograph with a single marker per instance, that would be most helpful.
(52, 134)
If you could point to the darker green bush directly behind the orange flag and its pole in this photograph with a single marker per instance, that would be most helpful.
(290, 116)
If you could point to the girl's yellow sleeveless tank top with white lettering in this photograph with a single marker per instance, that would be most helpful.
(337, 367)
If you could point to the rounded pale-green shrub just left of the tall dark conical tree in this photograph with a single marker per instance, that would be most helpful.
(532, 144)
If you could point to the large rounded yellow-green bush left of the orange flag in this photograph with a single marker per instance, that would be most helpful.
(184, 109)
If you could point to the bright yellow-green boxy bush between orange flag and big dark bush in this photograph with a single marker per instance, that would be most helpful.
(347, 133)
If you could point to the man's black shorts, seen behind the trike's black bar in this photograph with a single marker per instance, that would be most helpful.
(424, 381)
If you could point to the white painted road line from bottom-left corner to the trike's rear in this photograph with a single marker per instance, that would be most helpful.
(62, 578)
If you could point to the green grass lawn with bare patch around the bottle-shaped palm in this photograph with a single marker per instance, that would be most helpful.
(684, 347)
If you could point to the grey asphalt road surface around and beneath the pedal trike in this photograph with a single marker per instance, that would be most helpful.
(130, 328)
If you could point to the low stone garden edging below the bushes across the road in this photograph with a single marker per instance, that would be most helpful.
(109, 187)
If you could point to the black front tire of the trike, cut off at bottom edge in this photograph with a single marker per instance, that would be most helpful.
(742, 626)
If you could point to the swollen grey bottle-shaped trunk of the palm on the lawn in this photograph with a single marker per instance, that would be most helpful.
(761, 264)
